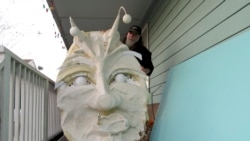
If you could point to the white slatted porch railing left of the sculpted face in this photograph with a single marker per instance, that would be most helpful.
(28, 109)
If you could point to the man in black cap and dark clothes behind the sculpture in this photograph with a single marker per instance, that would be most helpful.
(133, 40)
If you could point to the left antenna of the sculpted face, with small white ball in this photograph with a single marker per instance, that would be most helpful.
(74, 31)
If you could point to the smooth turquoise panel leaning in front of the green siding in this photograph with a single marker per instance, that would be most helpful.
(207, 98)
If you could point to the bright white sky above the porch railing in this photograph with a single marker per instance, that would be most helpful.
(28, 29)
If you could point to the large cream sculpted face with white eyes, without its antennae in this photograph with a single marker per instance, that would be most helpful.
(101, 90)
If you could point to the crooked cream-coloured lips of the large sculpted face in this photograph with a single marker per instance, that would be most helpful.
(111, 124)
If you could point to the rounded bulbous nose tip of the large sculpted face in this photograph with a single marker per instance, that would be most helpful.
(104, 102)
